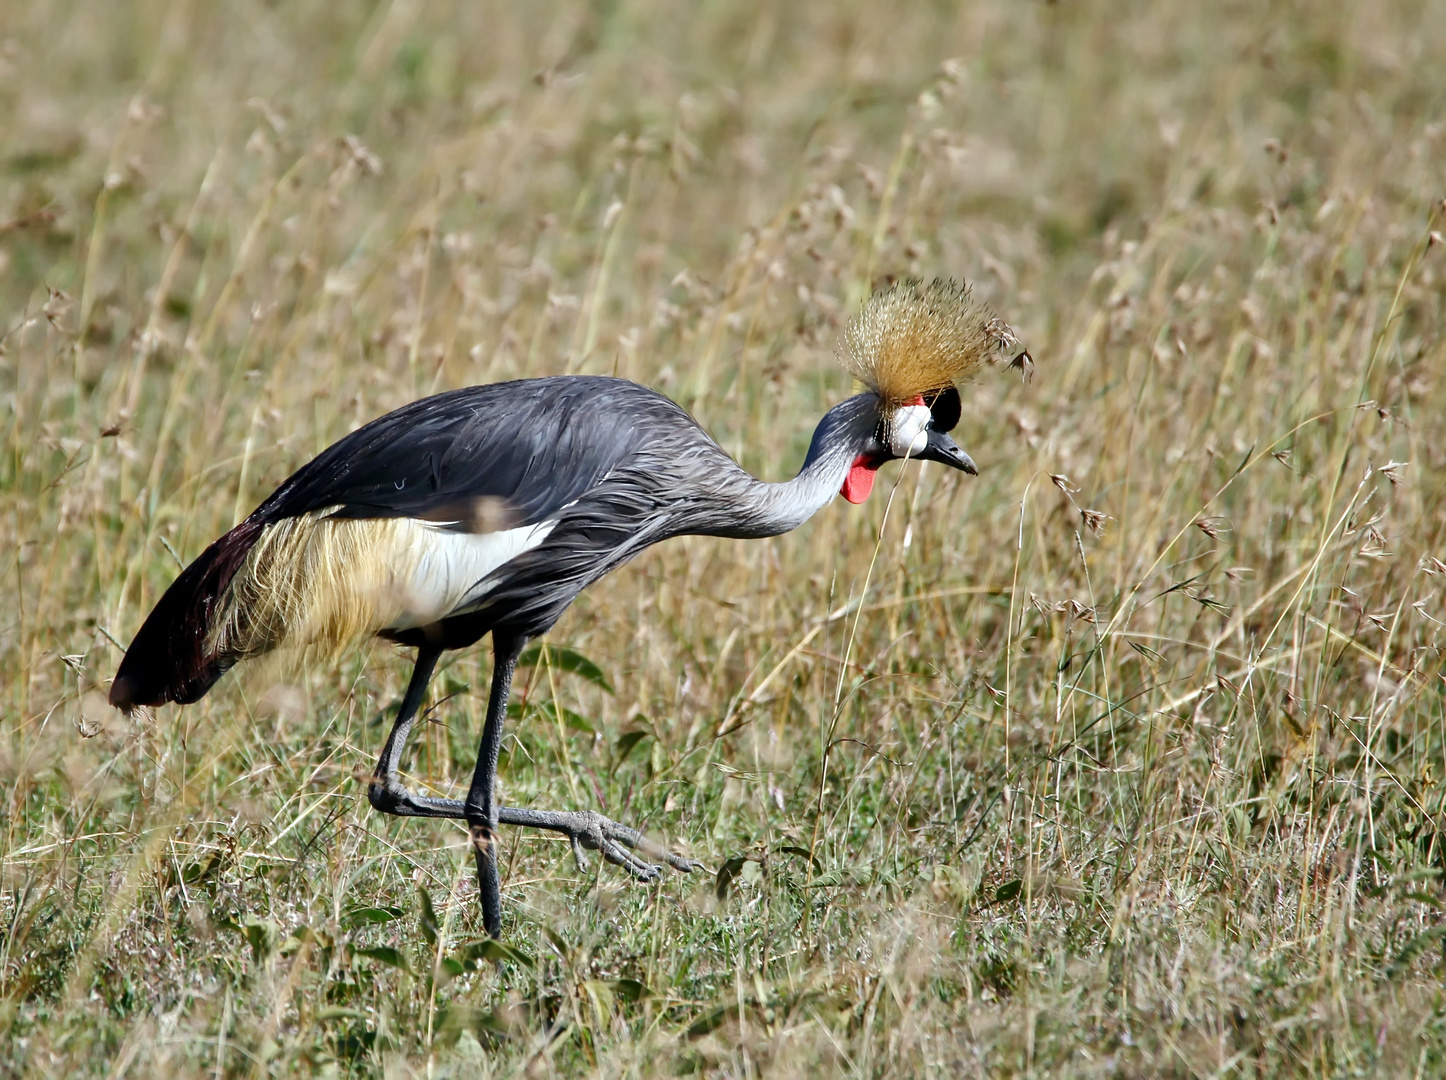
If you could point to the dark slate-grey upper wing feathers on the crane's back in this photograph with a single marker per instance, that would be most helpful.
(479, 460)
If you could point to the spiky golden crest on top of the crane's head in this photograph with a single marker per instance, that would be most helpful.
(919, 338)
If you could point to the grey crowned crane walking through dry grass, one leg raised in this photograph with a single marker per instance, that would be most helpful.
(489, 510)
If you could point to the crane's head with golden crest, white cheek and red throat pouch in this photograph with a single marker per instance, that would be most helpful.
(913, 346)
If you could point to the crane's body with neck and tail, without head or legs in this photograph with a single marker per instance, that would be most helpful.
(479, 510)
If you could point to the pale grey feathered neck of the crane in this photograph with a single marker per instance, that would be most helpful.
(767, 510)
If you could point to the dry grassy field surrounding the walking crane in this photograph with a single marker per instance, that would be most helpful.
(1124, 758)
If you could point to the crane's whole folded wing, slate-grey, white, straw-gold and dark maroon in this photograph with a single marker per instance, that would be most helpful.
(401, 524)
